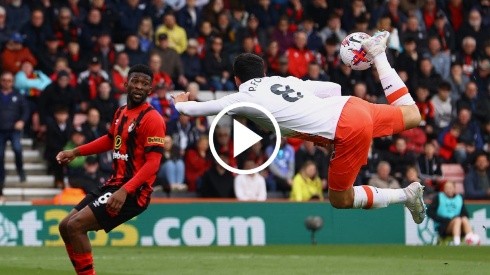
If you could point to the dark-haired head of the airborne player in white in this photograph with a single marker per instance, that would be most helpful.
(248, 66)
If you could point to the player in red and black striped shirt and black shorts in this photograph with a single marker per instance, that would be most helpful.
(136, 138)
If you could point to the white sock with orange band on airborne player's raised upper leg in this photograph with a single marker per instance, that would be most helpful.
(395, 89)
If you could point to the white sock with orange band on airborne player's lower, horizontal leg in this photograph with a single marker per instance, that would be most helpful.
(371, 197)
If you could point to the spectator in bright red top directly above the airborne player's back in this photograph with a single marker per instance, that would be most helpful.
(299, 56)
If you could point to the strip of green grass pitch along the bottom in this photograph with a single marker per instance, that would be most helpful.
(321, 259)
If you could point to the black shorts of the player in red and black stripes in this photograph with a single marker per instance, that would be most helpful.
(97, 202)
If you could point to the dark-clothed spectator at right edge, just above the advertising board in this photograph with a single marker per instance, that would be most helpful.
(477, 181)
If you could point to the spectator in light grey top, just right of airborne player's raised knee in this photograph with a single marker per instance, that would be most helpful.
(443, 109)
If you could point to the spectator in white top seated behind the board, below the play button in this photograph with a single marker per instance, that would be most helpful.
(250, 187)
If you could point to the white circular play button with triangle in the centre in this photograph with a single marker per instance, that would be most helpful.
(243, 137)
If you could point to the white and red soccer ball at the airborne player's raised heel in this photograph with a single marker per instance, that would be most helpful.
(352, 53)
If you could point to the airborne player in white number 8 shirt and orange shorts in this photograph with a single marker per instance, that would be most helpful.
(315, 111)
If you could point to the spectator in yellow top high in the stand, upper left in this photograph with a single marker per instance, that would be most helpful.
(177, 36)
